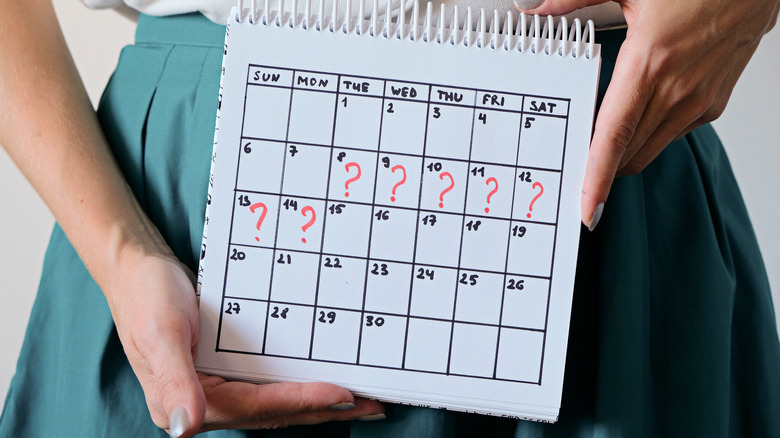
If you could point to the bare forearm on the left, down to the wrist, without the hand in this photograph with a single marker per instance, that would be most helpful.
(51, 132)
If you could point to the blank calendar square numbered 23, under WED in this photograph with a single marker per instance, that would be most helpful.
(387, 289)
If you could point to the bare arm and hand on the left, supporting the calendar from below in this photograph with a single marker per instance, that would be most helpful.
(53, 135)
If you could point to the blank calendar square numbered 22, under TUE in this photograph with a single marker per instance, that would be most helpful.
(342, 280)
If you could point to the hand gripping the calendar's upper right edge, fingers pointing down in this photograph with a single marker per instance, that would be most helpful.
(675, 71)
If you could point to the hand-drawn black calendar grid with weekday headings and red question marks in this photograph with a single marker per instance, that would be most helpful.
(487, 302)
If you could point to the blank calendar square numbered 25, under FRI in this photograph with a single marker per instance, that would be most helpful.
(479, 297)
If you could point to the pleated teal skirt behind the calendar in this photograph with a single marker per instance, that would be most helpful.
(672, 334)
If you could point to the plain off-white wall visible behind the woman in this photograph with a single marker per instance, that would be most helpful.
(748, 129)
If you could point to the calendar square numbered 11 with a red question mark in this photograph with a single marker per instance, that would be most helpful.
(490, 190)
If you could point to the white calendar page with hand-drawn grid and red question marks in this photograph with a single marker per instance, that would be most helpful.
(397, 217)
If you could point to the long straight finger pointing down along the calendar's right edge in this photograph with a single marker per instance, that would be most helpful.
(624, 103)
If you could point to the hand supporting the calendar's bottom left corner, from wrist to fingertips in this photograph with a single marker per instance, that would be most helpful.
(155, 310)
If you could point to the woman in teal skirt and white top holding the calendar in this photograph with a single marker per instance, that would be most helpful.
(672, 331)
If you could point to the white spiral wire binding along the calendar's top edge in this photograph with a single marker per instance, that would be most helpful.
(532, 33)
